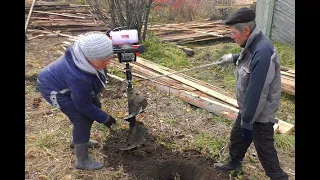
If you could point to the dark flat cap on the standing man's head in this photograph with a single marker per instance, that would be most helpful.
(242, 15)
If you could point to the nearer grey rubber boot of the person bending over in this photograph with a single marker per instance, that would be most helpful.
(82, 159)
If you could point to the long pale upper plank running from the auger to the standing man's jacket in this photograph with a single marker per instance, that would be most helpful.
(190, 83)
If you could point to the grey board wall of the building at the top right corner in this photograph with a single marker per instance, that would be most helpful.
(283, 21)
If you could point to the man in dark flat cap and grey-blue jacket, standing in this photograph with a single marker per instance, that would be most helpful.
(258, 92)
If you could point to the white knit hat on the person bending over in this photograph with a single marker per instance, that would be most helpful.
(96, 45)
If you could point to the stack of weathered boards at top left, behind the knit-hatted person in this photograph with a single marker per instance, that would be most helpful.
(57, 18)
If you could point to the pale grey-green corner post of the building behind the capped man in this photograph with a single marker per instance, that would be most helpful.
(264, 14)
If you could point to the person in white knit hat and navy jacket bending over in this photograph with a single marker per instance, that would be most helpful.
(72, 84)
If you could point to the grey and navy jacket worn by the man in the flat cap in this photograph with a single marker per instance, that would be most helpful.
(258, 85)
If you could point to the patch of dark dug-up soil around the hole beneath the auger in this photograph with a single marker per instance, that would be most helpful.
(151, 161)
